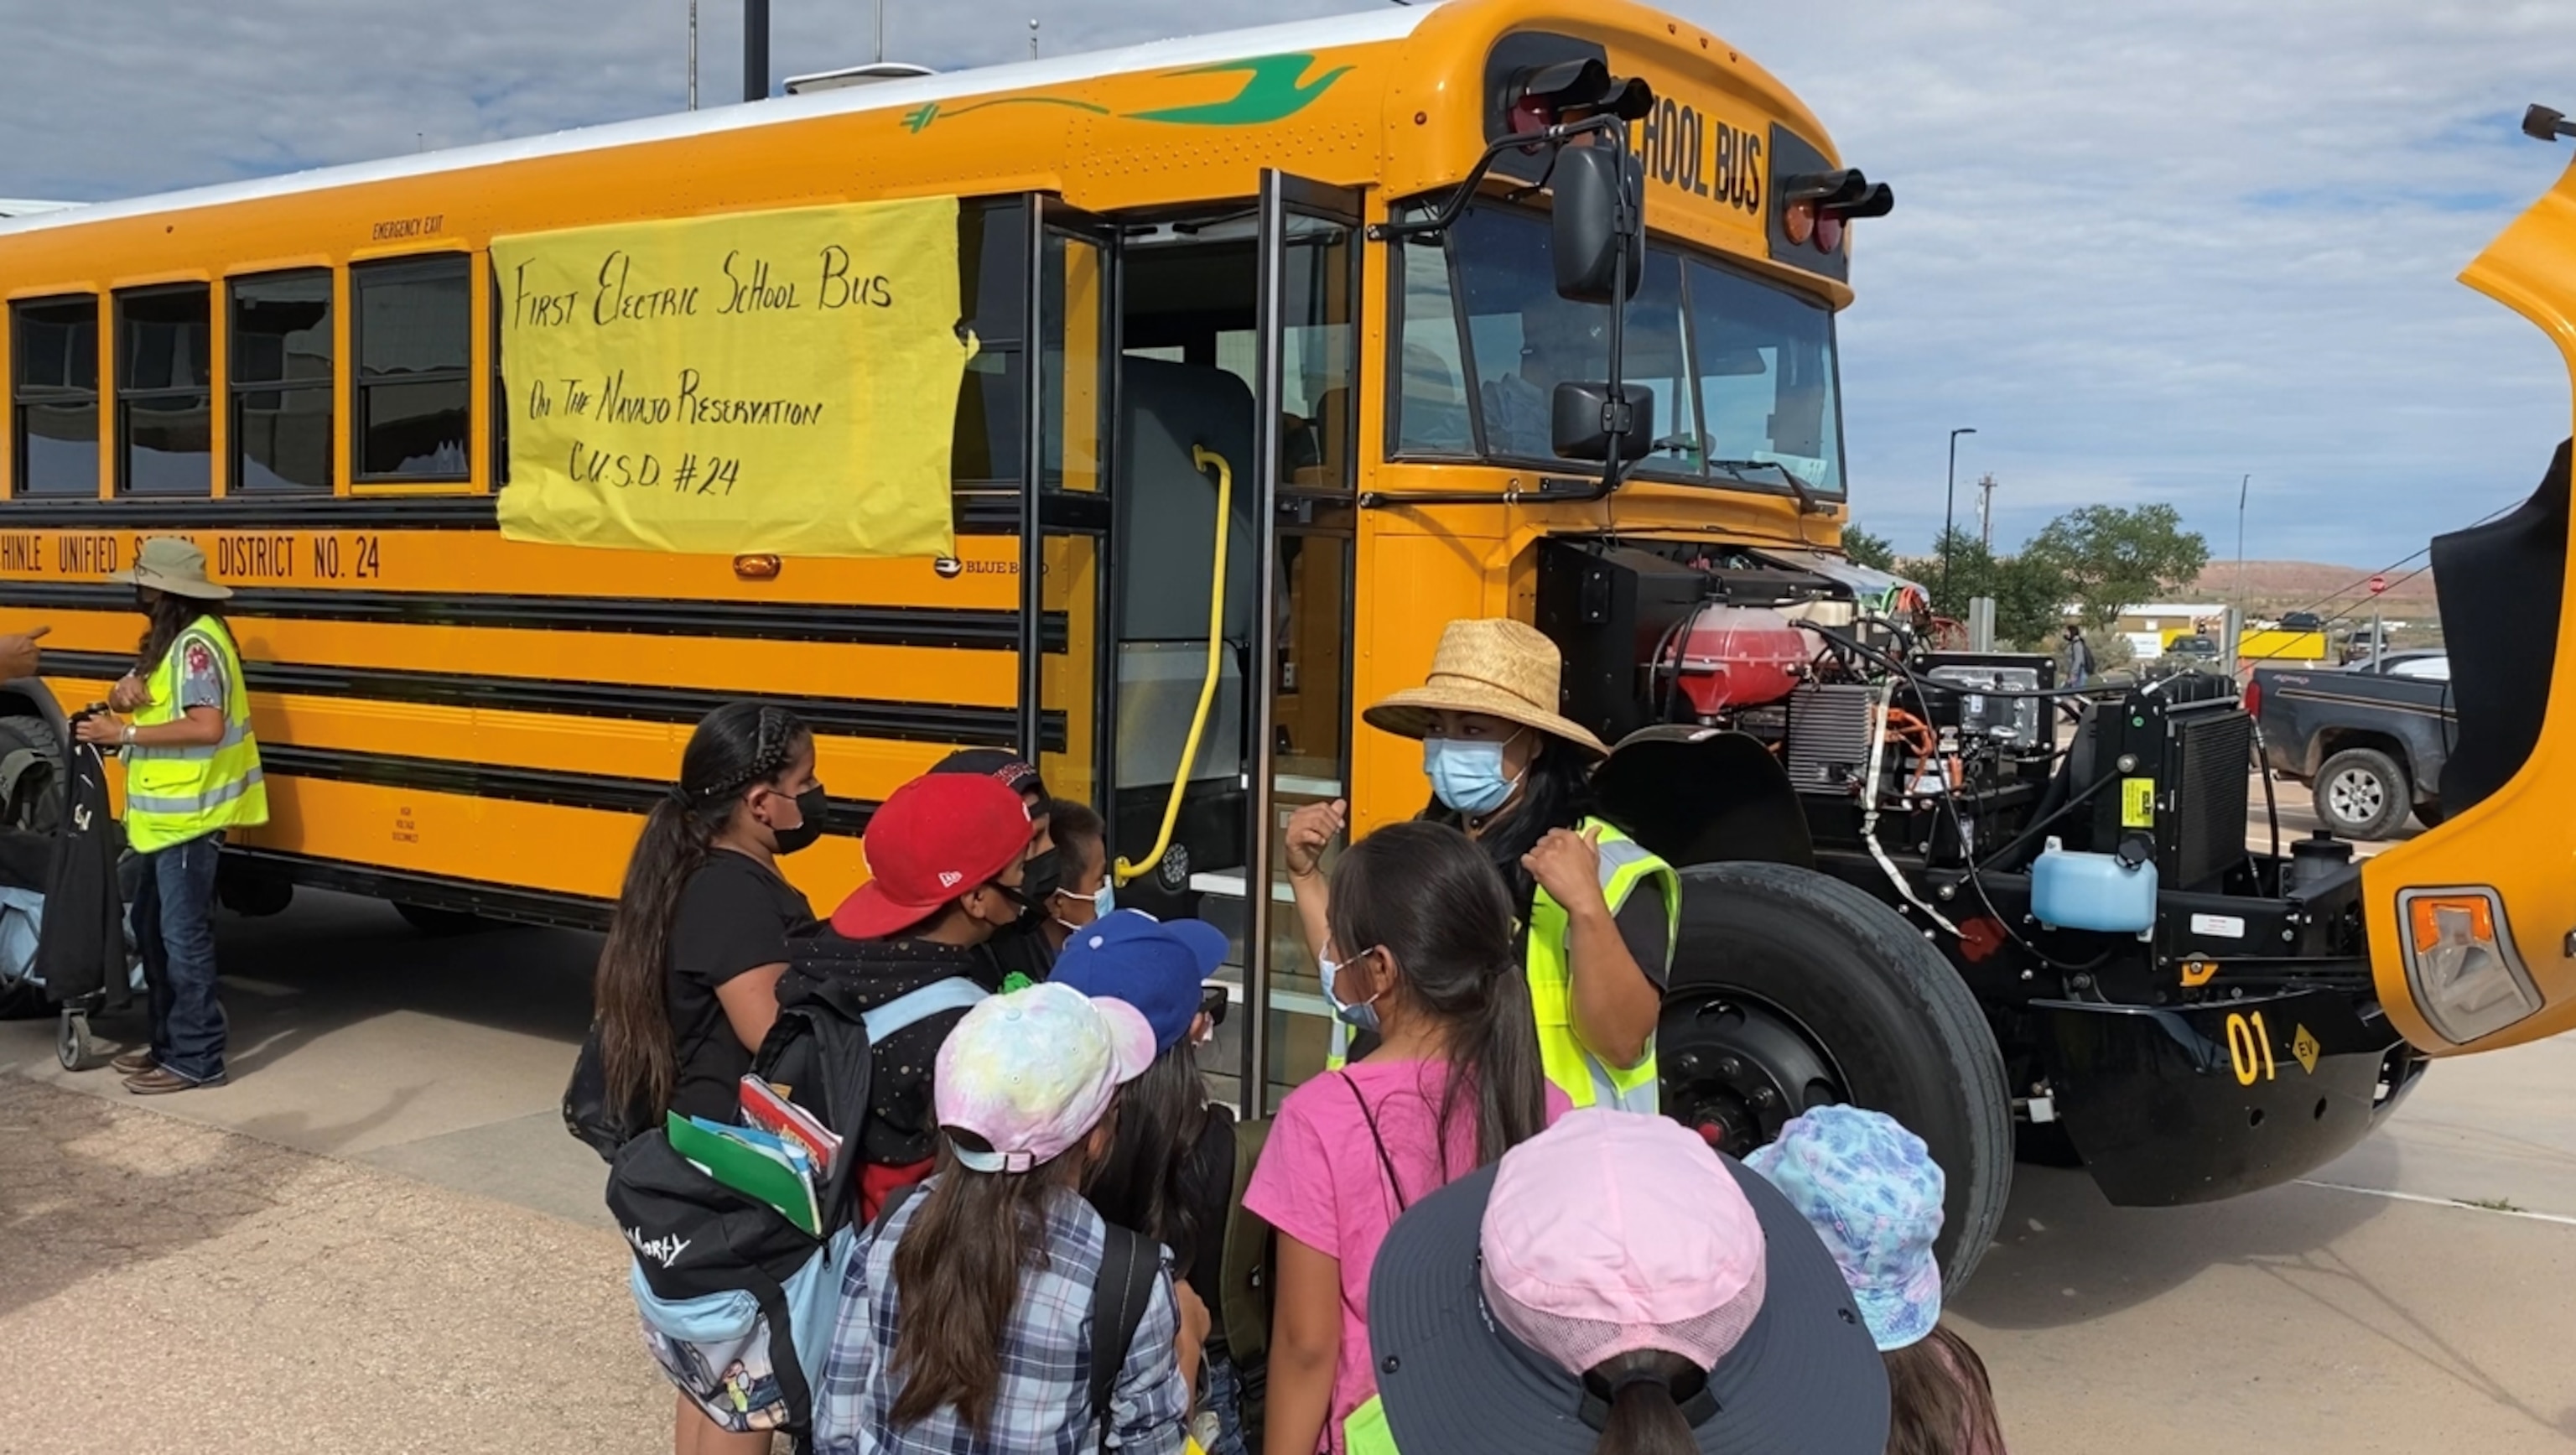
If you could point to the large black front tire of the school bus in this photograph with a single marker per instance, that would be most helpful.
(1797, 990)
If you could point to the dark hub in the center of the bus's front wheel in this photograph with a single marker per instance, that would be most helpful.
(1738, 1073)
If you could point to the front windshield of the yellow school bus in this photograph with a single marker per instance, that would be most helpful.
(1743, 372)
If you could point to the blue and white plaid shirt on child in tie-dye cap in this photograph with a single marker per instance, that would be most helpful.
(1047, 1361)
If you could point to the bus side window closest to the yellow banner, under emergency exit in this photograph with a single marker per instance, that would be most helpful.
(413, 382)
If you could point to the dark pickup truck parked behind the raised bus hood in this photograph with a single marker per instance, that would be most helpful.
(2369, 740)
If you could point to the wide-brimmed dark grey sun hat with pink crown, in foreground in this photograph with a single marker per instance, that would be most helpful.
(1498, 1299)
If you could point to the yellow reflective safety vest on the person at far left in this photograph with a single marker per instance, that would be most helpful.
(176, 794)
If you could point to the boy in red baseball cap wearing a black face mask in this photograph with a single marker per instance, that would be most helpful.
(908, 952)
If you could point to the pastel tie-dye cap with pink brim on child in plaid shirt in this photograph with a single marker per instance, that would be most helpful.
(1032, 1073)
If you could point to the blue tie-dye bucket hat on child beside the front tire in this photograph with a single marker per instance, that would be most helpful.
(1874, 1196)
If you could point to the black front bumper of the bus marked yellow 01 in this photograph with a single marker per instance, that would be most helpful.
(2211, 1101)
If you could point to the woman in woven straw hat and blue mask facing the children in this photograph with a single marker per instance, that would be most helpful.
(1598, 910)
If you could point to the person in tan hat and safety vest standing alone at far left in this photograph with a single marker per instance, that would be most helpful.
(192, 774)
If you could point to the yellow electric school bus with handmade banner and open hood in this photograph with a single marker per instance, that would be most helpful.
(1153, 413)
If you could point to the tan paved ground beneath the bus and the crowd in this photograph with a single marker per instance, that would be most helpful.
(383, 1240)
